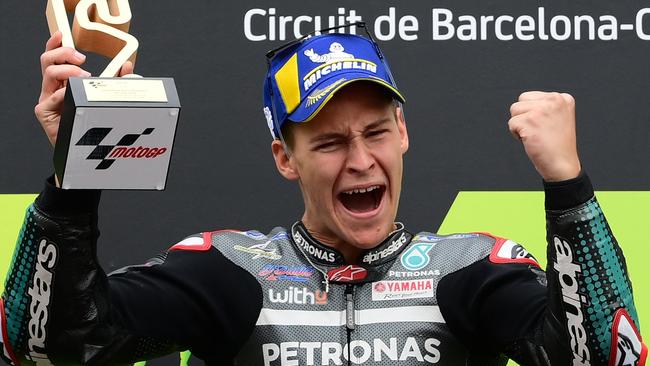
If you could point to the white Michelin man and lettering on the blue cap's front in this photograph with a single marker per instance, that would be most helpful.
(336, 60)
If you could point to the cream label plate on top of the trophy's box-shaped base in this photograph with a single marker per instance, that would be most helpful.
(124, 90)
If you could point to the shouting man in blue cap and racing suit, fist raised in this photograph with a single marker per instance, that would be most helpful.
(346, 284)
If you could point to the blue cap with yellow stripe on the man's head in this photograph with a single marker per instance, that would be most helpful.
(303, 77)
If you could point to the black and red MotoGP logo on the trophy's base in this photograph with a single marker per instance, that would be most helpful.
(109, 153)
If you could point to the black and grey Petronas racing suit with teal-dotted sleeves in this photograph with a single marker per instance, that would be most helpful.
(246, 298)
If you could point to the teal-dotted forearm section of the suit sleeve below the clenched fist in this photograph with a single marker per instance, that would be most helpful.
(589, 290)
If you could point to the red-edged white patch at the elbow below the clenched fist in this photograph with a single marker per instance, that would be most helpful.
(627, 346)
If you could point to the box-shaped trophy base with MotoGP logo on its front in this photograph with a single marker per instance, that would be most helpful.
(116, 133)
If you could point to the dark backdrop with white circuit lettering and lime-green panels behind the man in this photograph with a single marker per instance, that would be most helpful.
(460, 65)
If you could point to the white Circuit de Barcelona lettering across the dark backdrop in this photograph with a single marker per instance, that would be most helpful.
(446, 24)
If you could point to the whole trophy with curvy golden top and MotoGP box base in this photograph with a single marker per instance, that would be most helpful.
(115, 133)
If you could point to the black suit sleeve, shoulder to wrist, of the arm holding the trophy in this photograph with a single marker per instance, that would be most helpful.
(60, 307)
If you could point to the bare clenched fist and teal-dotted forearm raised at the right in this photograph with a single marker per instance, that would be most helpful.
(591, 318)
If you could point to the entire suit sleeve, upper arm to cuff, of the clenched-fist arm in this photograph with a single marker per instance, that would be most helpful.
(569, 315)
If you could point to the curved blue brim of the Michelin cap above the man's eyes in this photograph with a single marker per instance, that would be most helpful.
(325, 90)
